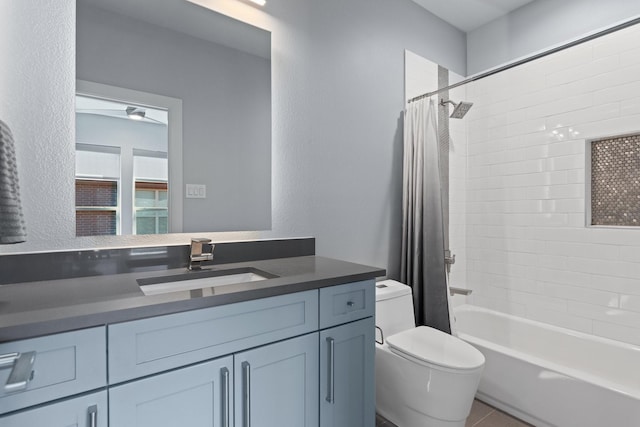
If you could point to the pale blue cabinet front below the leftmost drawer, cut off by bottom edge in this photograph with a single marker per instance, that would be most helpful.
(85, 411)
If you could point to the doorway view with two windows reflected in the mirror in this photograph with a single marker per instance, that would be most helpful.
(122, 178)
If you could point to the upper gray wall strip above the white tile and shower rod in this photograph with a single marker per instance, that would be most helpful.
(539, 25)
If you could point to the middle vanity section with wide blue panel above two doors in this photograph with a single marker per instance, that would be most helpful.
(263, 366)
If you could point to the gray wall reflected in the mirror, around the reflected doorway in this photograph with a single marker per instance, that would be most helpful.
(226, 103)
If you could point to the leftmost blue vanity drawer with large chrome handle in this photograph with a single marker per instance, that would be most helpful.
(65, 364)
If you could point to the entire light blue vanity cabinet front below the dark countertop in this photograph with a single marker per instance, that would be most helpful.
(303, 359)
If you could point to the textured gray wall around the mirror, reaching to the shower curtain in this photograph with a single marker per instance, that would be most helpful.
(337, 88)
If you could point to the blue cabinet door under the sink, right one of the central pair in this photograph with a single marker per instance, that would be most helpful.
(277, 385)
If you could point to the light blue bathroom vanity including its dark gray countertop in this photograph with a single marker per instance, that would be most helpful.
(296, 349)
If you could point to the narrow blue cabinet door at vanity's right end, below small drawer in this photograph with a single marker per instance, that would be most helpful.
(347, 395)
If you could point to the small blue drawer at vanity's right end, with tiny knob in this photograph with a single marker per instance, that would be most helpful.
(346, 303)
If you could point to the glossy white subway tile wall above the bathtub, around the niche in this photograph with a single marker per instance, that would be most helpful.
(518, 215)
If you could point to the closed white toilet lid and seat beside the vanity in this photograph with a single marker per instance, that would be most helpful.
(432, 347)
